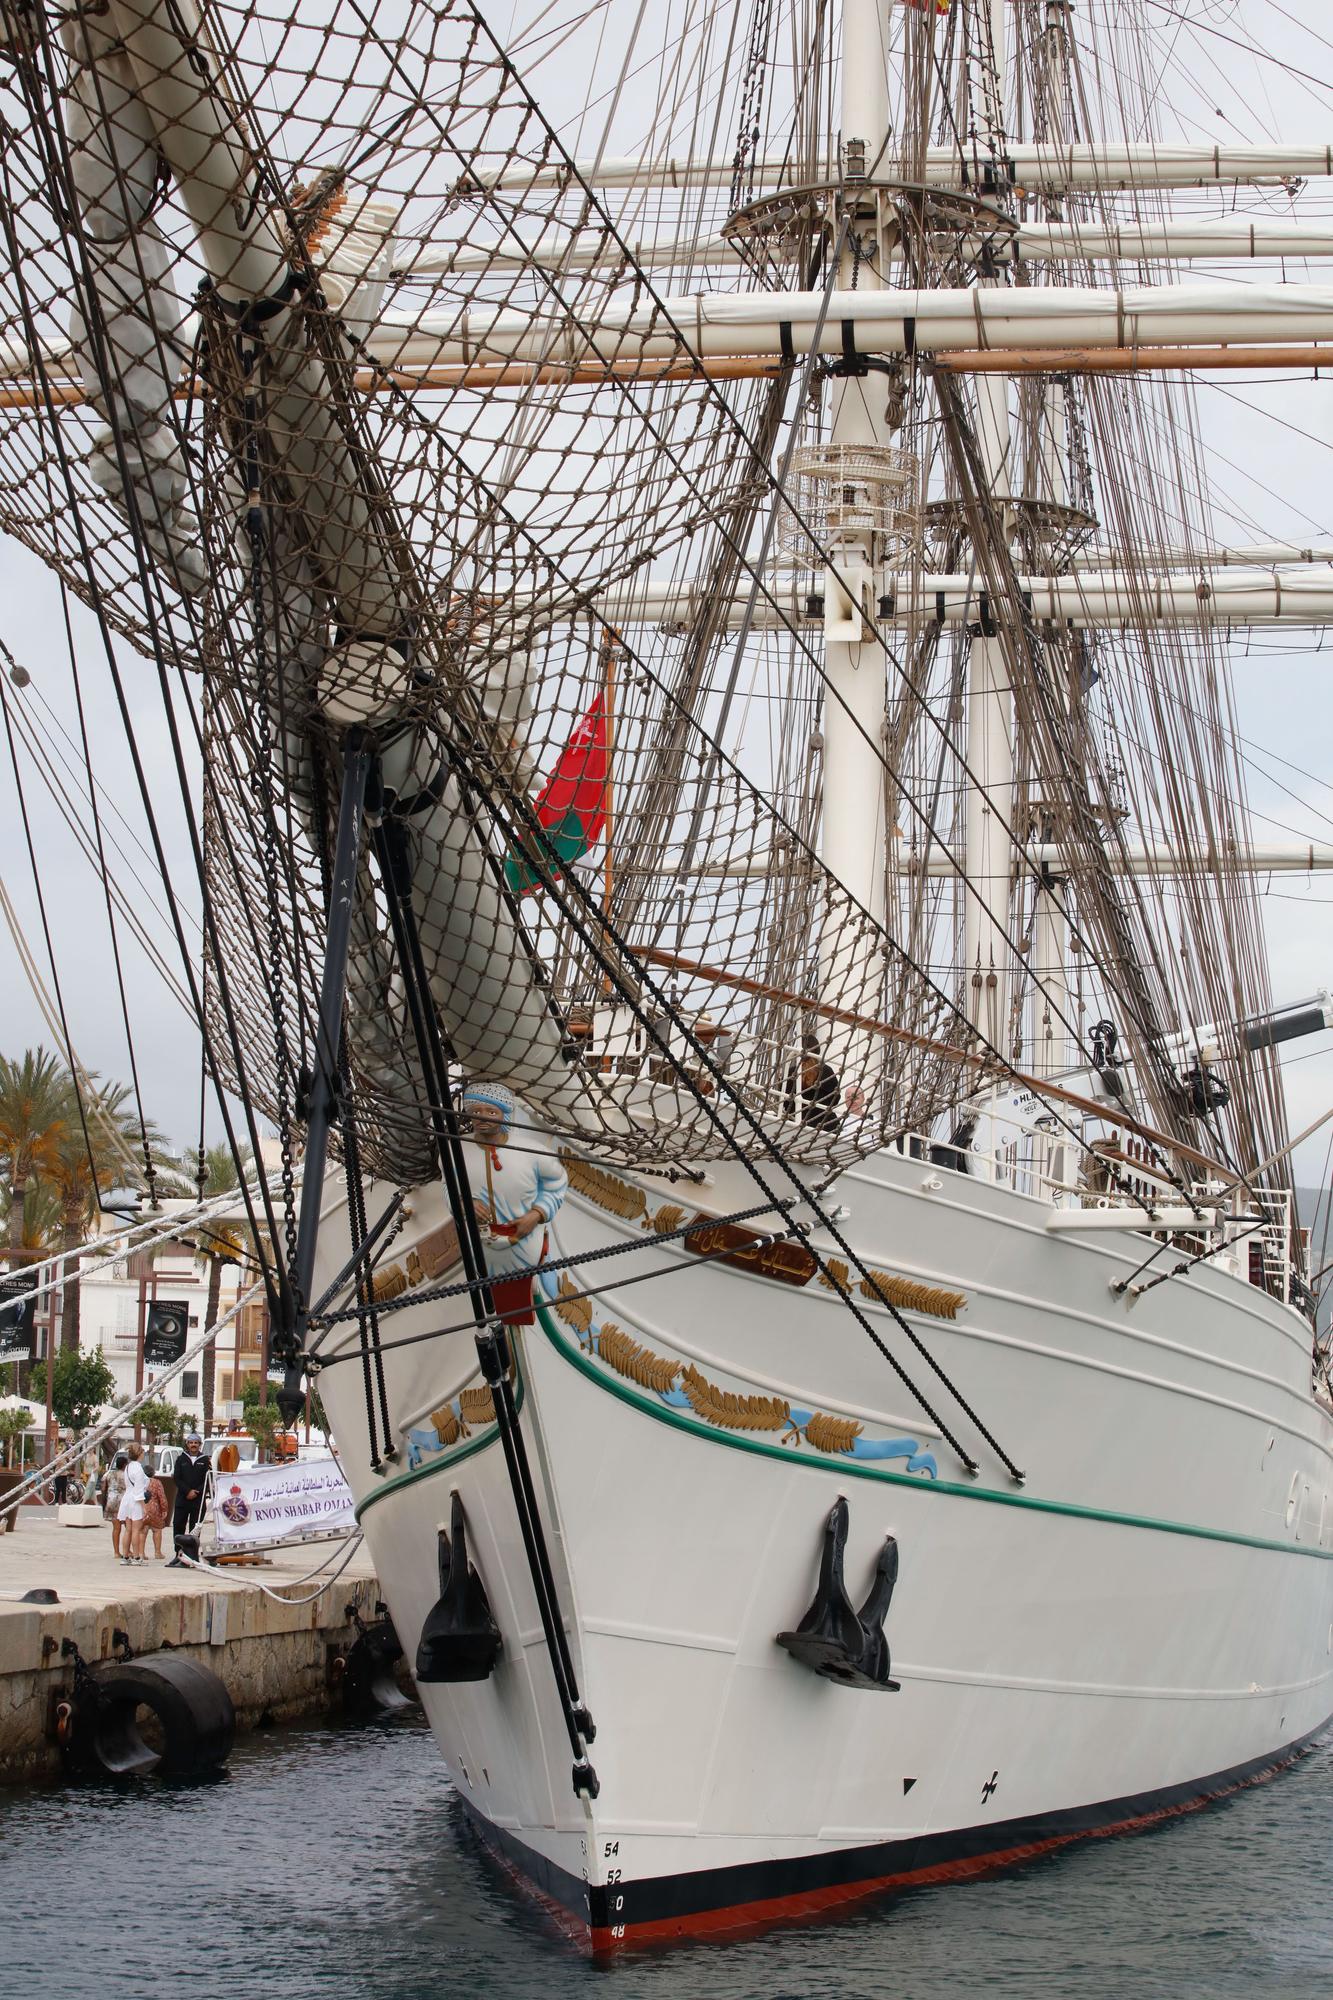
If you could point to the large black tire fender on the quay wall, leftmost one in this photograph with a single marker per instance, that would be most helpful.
(195, 1717)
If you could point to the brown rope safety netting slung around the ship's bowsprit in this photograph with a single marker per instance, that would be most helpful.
(241, 245)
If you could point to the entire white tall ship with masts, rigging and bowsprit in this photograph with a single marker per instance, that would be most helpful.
(694, 653)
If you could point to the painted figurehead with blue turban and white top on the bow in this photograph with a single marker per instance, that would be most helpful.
(525, 1189)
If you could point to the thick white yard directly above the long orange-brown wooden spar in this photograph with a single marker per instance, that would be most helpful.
(732, 325)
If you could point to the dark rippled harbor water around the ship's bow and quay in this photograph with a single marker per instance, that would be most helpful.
(337, 1863)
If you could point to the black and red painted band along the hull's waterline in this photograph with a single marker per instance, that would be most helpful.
(714, 1905)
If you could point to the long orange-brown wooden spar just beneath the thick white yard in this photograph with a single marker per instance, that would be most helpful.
(25, 395)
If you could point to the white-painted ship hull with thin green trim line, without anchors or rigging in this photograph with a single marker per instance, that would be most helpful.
(1146, 1623)
